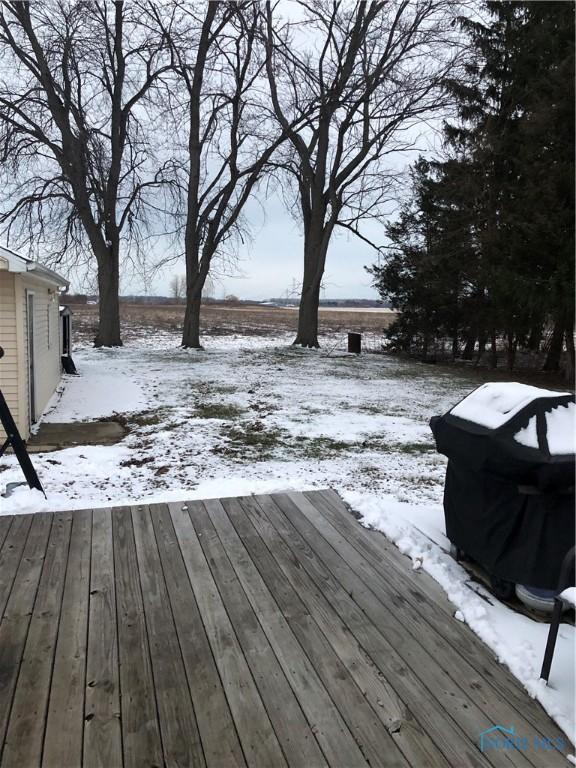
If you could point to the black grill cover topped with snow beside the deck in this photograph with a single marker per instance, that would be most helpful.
(509, 491)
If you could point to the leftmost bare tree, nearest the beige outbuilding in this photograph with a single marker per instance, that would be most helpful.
(73, 131)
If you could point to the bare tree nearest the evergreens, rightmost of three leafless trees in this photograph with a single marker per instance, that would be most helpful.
(364, 74)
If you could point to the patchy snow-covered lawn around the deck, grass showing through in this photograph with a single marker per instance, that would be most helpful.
(254, 415)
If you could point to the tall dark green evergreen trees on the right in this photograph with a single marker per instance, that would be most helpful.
(482, 258)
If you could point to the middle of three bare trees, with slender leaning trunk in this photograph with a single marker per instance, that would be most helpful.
(230, 136)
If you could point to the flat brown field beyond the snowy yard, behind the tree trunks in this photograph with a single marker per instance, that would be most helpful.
(222, 320)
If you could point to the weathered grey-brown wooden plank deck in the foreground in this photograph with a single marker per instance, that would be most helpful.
(262, 631)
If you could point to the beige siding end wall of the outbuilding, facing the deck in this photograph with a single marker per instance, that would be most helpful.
(9, 379)
